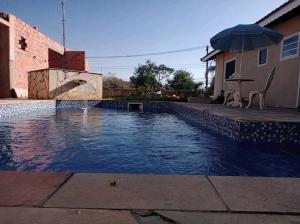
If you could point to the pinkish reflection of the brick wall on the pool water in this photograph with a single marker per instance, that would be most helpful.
(29, 143)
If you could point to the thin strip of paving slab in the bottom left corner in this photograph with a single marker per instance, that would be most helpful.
(63, 216)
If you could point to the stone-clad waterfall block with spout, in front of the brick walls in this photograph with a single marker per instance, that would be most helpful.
(64, 85)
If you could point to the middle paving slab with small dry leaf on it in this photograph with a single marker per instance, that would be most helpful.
(137, 192)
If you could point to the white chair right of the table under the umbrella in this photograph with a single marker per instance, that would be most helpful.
(262, 93)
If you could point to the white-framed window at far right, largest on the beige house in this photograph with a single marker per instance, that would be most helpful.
(289, 47)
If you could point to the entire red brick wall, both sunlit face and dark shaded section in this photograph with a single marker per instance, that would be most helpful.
(39, 52)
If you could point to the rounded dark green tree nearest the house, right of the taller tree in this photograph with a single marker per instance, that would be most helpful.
(183, 80)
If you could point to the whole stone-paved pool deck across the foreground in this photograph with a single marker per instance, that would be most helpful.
(27, 197)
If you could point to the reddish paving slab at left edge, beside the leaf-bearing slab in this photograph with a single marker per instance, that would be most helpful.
(28, 188)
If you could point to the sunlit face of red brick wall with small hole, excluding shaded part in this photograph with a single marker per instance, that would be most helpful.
(35, 55)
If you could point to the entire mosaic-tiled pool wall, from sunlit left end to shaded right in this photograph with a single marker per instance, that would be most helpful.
(239, 130)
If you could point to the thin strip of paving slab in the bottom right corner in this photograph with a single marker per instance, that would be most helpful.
(227, 218)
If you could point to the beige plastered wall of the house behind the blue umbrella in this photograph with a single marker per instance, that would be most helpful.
(284, 89)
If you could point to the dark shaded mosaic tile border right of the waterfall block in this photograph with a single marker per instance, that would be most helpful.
(242, 131)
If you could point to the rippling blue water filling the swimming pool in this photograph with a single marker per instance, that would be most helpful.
(111, 141)
